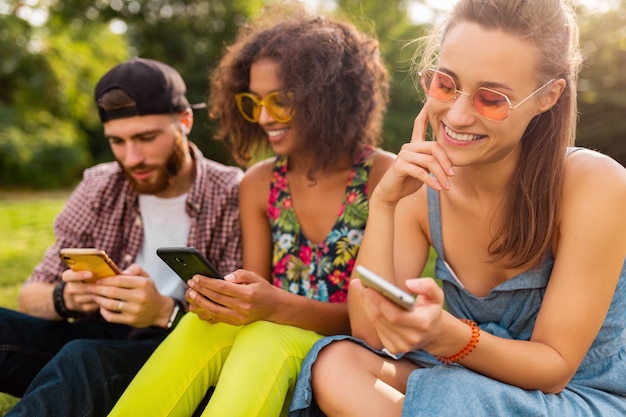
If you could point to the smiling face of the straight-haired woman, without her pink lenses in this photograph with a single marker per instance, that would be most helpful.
(475, 57)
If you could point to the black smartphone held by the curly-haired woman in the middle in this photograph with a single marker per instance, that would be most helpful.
(187, 262)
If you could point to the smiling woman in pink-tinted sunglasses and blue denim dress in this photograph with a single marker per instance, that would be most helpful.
(530, 236)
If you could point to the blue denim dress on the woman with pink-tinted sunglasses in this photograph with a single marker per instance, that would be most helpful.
(597, 389)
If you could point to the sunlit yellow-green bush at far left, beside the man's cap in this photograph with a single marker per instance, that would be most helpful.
(46, 84)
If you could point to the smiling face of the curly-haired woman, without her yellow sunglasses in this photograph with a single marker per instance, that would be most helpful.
(263, 81)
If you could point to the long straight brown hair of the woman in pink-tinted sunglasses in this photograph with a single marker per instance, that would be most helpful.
(529, 220)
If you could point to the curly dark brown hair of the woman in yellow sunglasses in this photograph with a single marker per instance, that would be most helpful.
(338, 81)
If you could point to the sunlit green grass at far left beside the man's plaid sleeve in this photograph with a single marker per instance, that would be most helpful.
(25, 233)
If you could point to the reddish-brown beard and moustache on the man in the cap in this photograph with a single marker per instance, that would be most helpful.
(165, 173)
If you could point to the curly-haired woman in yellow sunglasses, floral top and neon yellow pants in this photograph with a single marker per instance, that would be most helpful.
(312, 91)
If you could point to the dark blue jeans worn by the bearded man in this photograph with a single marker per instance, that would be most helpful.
(63, 369)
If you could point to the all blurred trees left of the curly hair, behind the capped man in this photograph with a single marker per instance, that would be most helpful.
(49, 128)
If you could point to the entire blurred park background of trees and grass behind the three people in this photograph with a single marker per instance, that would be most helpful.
(52, 53)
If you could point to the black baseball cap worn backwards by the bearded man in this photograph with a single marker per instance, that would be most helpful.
(155, 87)
